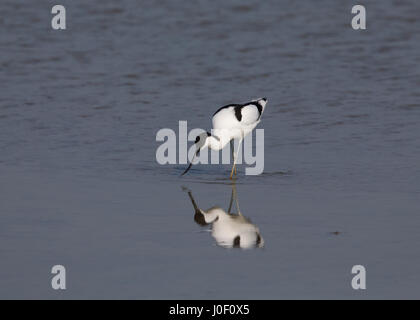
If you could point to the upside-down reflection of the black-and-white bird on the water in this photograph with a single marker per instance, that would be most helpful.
(230, 230)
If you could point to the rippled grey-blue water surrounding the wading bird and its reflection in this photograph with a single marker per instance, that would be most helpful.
(79, 181)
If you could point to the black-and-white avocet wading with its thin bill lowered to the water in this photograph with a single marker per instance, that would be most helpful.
(233, 121)
